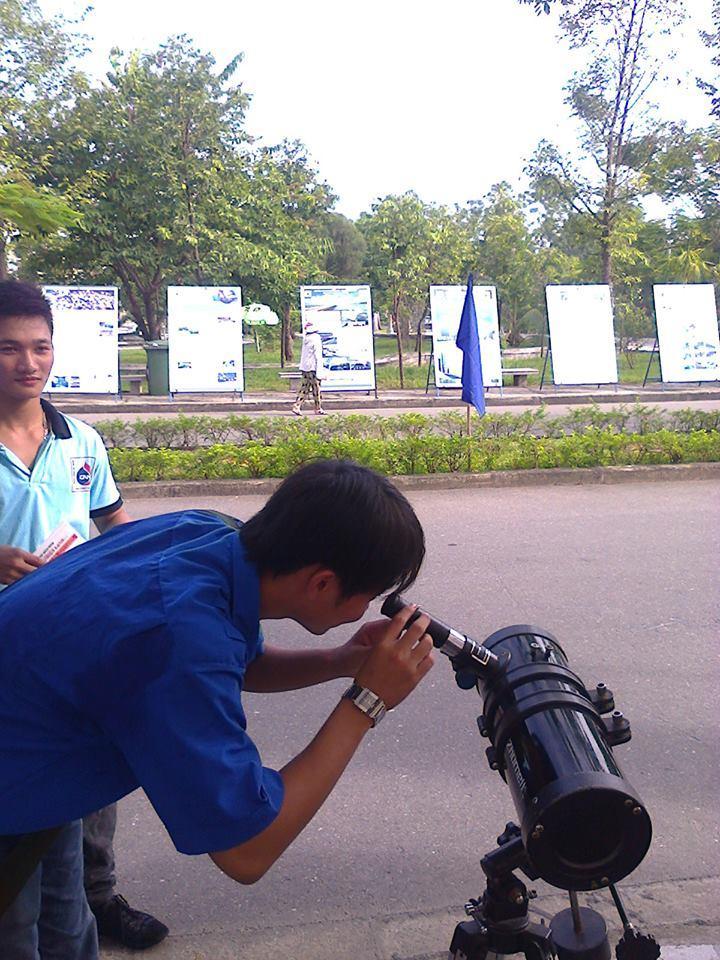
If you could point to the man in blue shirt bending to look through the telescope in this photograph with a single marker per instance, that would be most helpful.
(122, 665)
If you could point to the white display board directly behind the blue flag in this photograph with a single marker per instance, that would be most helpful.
(446, 303)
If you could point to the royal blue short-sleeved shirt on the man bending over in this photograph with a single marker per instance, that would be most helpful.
(122, 665)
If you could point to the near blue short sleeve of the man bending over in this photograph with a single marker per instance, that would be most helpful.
(184, 738)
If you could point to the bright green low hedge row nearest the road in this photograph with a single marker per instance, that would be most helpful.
(417, 454)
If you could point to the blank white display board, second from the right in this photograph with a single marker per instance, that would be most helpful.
(582, 336)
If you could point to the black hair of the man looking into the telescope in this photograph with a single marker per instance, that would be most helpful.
(345, 517)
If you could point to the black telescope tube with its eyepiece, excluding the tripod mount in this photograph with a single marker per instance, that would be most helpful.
(583, 825)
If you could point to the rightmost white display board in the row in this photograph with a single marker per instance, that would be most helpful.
(687, 325)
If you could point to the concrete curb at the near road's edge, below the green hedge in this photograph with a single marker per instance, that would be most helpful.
(558, 476)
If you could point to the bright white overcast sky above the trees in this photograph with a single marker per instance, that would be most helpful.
(443, 98)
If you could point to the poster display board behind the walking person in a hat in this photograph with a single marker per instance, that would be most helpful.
(343, 318)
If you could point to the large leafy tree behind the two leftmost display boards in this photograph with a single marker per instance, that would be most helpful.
(144, 157)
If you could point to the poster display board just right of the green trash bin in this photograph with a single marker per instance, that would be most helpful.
(205, 349)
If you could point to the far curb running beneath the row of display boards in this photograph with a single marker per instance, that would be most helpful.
(281, 404)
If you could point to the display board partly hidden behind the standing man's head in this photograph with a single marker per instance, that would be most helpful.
(85, 339)
